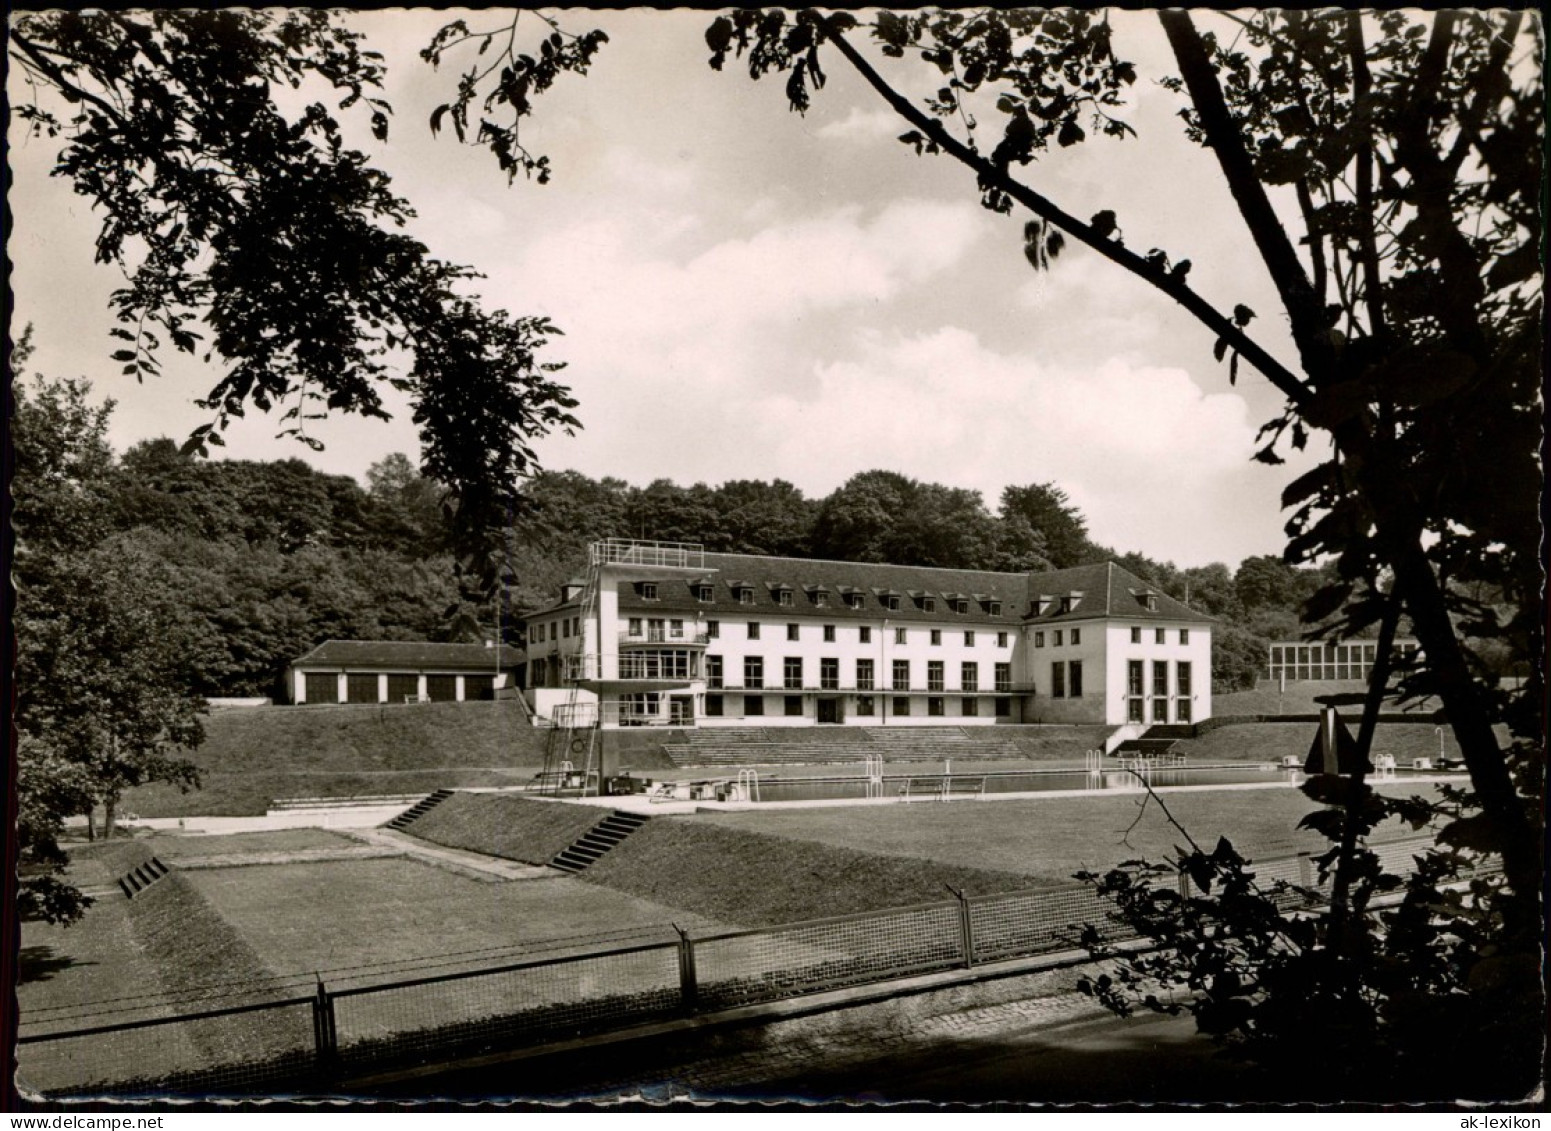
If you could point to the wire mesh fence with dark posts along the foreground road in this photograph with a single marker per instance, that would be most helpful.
(275, 1048)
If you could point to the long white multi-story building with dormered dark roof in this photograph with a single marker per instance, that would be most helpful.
(671, 635)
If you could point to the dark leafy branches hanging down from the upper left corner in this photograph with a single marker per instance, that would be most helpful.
(264, 244)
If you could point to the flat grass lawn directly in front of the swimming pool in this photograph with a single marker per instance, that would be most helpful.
(1052, 839)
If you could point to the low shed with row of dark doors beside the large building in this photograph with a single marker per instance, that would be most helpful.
(401, 673)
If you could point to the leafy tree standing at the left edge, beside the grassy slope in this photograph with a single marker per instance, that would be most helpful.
(103, 680)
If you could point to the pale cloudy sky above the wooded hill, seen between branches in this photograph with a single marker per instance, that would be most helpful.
(753, 294)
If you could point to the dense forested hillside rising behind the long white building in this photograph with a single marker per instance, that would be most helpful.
(263, 561)
